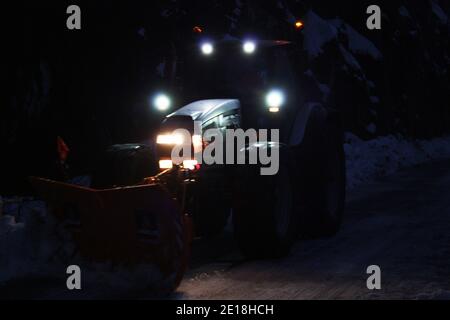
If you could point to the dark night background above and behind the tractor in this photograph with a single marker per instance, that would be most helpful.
(92, 86)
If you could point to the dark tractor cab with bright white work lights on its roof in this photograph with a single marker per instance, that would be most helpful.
(257, 73)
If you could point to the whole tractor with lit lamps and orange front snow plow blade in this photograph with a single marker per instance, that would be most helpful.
(144, 206)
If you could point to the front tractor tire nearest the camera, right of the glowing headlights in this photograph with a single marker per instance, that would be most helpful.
(265, 224)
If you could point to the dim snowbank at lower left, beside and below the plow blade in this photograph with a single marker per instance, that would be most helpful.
(32, 244)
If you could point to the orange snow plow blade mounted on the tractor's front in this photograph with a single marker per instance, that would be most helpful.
(129, 225)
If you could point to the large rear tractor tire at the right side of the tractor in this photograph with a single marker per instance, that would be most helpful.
(321, 175)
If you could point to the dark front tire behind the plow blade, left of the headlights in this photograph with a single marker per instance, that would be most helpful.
(124, 165)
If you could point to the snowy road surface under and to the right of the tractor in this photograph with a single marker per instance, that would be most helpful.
(400, 223)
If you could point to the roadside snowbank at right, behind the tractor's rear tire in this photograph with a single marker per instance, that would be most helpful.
(385, 155)
